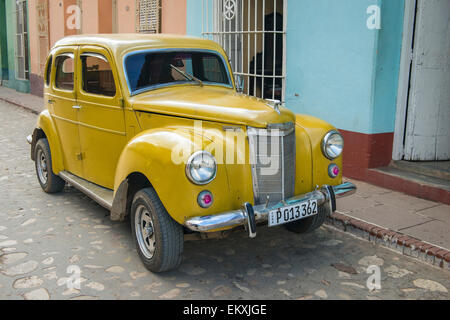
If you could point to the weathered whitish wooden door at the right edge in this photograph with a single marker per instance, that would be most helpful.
(422, 130)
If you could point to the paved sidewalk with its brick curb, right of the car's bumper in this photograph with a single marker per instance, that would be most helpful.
(411, 226)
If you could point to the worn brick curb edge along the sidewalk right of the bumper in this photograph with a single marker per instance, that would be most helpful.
(402, 243)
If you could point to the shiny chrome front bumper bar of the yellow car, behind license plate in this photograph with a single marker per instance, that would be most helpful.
(238, 217)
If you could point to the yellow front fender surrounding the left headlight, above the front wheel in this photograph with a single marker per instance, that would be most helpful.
(151, 153)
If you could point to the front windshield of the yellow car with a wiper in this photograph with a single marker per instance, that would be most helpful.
(146, 70)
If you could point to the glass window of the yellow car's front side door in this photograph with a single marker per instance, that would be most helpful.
(97, 75)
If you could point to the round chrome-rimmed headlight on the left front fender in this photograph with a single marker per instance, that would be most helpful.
(201, 168)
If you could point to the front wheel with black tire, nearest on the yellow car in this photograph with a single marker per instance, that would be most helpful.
(158, 238)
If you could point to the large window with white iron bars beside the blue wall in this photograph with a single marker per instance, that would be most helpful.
(253, 34)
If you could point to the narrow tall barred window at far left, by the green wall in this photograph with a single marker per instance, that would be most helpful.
(21, 52)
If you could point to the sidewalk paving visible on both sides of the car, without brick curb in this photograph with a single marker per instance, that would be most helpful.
(392, 211)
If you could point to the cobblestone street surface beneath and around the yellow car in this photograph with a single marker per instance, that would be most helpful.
(42, 235)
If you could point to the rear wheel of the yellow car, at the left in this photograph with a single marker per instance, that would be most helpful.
(49, 182)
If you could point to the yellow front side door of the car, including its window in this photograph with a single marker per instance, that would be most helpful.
(101, 115)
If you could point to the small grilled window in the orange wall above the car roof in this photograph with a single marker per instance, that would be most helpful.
(148, 16)
